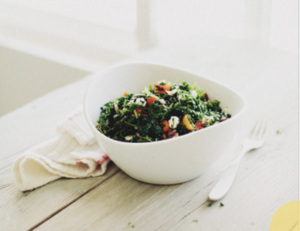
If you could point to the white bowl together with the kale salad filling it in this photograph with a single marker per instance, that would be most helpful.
(167, 132)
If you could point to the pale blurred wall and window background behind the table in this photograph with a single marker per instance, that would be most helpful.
(76, 37)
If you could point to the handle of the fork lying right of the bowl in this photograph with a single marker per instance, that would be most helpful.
(225, 182)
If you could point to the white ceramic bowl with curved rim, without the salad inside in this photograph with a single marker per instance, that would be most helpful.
(169, 161)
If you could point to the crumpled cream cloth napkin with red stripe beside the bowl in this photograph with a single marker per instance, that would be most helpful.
(73, 153)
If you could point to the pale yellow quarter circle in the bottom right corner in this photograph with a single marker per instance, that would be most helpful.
(286, 218)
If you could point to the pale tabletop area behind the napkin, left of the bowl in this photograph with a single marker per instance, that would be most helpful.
(37, 120)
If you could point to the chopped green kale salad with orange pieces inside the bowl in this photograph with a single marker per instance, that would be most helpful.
(161, 111)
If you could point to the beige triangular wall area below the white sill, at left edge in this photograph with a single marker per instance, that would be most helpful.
(25, 77)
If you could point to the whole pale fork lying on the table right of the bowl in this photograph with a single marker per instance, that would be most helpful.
(254, 141)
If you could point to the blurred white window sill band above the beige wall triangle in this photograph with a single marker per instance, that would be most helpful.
(69, 41)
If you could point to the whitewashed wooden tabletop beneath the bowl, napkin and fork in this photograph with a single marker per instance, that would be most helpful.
(267, 178)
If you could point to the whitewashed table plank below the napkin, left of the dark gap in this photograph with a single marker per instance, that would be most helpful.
(25, 210)
